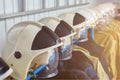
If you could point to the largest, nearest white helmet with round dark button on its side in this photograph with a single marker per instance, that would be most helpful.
(30, 45)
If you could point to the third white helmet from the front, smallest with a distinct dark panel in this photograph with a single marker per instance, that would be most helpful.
(77, 22)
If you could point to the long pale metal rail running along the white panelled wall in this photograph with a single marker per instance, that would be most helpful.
(38, 11)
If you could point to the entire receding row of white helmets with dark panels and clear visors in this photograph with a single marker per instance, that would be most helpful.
(33, 49)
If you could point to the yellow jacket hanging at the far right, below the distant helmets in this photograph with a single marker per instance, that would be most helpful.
(109, 37)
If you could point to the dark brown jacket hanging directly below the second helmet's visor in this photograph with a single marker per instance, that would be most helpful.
(79, 62)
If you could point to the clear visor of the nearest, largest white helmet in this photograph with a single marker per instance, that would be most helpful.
(48, 62)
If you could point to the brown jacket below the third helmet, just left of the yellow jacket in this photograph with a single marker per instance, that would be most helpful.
(95, 50)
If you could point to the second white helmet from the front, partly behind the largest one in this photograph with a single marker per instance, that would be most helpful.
(64, 31)
